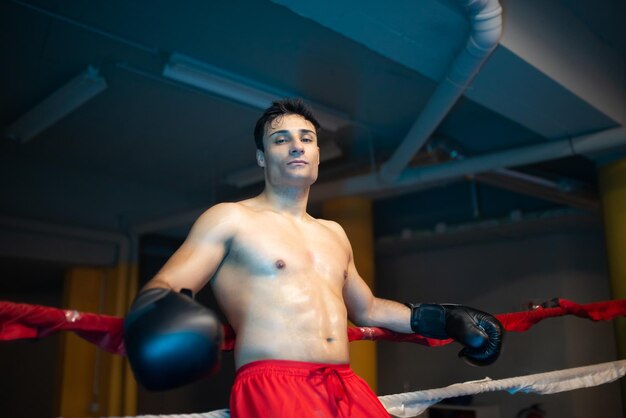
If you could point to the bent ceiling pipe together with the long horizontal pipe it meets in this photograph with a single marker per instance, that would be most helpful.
(486, 27)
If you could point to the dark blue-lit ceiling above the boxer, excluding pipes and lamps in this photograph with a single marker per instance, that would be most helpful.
(148, 153)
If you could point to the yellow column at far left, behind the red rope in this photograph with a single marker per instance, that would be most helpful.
(93, 382)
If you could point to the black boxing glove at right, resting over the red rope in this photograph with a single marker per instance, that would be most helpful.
(479, 332)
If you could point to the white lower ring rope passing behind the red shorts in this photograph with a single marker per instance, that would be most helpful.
(411, 404)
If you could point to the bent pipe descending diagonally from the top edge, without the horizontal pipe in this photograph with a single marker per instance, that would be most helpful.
(486, 28)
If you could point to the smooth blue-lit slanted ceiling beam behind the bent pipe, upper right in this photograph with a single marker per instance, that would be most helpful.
(573, 83)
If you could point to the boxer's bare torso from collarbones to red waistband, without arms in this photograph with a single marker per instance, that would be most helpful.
(280, 286)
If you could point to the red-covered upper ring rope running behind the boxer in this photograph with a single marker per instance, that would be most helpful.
(23, 321)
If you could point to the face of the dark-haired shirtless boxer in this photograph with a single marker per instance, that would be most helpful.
(291, 156)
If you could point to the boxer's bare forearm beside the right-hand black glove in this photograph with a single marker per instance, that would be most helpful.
(387, 314)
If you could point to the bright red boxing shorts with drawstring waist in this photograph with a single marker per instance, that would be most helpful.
(294, 389)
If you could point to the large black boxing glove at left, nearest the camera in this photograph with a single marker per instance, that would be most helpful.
(170, 339)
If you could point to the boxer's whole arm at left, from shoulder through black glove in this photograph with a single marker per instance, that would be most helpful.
(170, 339)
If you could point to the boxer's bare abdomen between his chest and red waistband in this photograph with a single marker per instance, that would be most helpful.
(284, 317)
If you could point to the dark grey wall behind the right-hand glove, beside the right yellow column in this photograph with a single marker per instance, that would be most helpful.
(503, 276)
